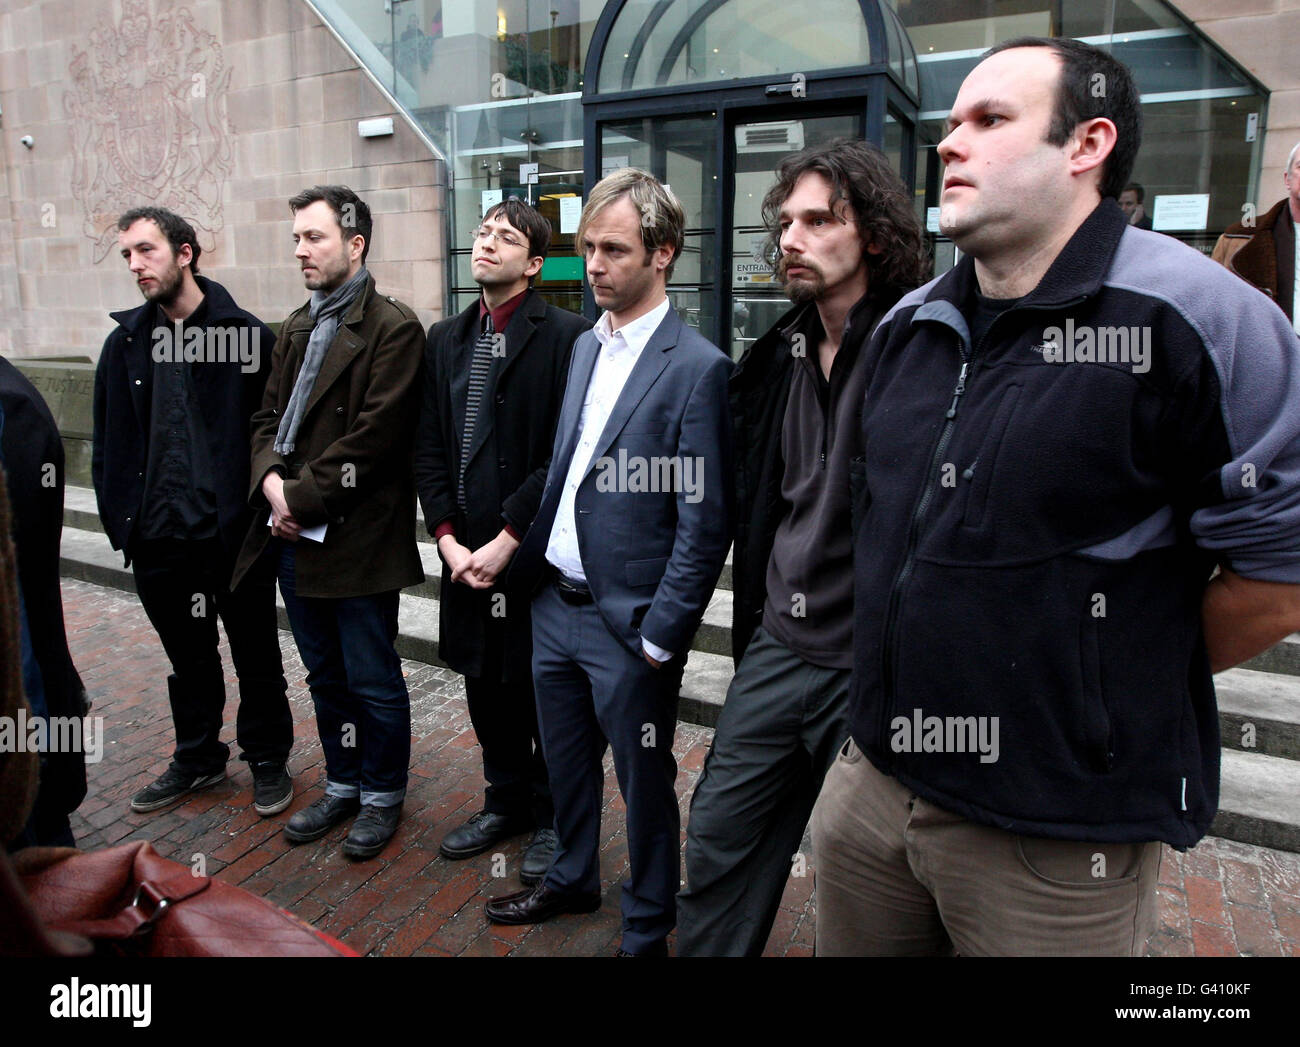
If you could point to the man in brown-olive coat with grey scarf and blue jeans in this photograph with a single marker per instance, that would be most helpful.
(332, 469)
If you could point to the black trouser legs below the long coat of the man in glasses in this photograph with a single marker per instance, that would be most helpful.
(505, 720)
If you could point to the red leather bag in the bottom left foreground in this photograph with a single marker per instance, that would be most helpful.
(128, 901)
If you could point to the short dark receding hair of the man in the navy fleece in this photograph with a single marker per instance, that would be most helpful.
(1078, 99)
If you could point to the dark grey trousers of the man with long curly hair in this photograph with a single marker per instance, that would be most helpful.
(778, 734)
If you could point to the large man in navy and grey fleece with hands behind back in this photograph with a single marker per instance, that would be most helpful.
(1063, 439)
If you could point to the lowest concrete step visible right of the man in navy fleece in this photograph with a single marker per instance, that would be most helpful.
(1259, 801)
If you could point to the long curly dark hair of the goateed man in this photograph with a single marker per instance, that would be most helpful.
(861, 176)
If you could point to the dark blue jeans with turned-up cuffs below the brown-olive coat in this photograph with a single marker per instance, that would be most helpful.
(363, 708)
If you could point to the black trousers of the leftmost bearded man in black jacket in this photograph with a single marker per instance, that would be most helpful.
(184, 589)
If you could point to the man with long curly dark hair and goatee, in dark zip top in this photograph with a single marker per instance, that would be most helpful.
(848, 248)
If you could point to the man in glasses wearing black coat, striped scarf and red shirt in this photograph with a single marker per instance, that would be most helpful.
(495, 382)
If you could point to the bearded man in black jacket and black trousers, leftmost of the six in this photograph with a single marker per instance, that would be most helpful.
(175, 391)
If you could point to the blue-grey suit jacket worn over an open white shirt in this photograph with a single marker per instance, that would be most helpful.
(655, 509)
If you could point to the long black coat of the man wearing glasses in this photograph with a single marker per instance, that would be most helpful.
(488, 633)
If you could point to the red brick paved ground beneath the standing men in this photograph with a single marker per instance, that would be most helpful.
(1220, 899)
